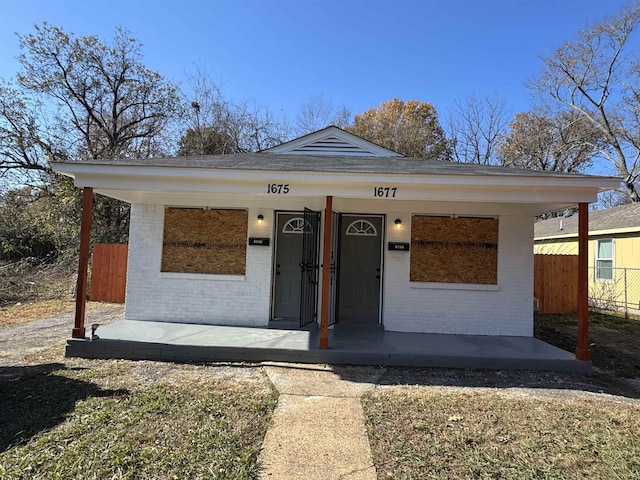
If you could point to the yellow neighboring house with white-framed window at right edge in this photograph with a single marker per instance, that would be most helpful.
(614, 251)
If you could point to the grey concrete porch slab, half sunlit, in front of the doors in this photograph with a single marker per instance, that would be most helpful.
(163, 341)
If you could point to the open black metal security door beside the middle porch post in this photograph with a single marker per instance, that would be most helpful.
(309, 267)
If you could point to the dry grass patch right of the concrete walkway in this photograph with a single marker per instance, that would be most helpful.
(417, 434)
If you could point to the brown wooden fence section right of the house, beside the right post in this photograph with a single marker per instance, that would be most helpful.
(555, 283)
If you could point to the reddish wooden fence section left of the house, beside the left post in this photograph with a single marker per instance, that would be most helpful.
(108, 273)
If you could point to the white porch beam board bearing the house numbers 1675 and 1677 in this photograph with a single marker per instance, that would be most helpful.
(349, 187)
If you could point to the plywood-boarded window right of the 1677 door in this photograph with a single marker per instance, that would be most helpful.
(454, 250)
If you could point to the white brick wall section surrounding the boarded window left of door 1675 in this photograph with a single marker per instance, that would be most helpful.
(194, 298)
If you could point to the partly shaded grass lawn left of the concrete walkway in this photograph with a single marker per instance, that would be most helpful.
(119, 419)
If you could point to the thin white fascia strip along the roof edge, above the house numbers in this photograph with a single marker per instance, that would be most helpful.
(82, 173)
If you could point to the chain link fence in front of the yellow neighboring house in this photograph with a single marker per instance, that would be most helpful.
(615, 289)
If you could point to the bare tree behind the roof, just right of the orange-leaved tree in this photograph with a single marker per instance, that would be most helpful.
(477, 125)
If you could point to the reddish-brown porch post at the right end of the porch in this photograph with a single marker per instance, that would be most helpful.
(582, 350)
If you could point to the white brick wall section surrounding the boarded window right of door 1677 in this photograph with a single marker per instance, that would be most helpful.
(503, 310)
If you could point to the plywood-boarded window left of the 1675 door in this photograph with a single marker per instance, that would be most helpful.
(204, 241)
